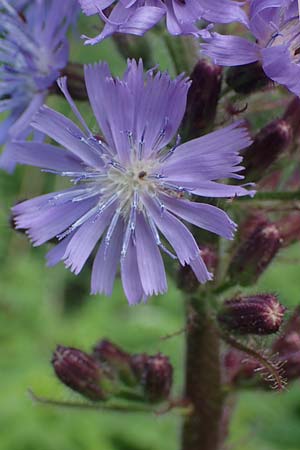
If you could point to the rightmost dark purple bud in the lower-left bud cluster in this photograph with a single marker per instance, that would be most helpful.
(155, 374)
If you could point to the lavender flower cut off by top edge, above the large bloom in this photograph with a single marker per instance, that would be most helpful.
(138, 16)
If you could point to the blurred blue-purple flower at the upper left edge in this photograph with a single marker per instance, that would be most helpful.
(33, 50)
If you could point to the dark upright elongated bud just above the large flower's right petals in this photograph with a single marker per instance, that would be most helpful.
(203, 97)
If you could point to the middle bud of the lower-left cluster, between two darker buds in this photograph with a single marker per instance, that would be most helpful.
(116, 360)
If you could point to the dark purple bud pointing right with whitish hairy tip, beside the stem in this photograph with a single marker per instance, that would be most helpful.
(260, 314)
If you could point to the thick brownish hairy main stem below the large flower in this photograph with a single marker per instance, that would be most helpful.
(202, 428)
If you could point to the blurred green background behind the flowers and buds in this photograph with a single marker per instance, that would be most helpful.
(42, 307)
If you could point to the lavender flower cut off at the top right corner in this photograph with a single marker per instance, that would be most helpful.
(275, 27)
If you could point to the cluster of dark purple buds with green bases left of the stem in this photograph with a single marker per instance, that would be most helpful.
(111, 372)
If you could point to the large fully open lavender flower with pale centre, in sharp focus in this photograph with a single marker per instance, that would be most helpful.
(129, 187)
